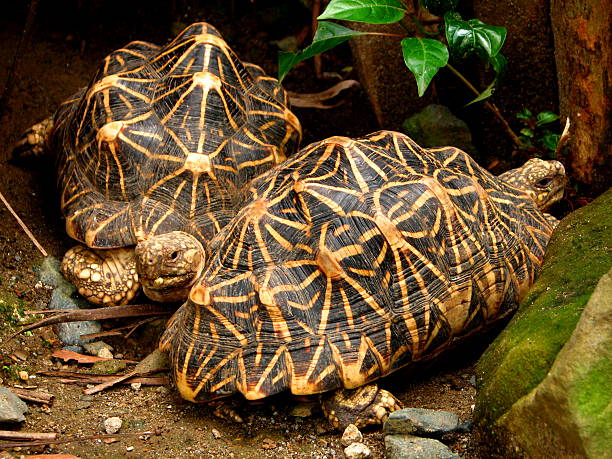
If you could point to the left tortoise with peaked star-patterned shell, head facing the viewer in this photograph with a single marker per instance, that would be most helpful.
(152, 156)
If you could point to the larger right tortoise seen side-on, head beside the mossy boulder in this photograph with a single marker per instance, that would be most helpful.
(352, 259)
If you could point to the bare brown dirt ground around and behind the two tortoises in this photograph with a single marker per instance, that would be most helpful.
(66, 47)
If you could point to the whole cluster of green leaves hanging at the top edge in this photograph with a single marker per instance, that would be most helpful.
(456, 39)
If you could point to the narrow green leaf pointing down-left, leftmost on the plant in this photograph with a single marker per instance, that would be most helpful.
(328, 35)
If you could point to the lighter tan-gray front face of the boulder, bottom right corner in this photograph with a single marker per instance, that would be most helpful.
(569, 411)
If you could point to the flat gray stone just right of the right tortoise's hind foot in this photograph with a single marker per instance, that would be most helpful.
(422, 422)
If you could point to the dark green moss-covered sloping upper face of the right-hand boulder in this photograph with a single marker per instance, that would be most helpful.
(578, 255)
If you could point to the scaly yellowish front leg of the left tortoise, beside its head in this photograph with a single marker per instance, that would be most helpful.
(107, 277)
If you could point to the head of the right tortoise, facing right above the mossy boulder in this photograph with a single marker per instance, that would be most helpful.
(543, 181)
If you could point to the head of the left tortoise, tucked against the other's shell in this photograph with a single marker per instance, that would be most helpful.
(168, 265)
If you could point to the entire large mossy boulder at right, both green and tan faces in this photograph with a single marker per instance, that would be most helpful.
(533, 398)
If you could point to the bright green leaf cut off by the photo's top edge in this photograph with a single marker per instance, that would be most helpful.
(370, 11)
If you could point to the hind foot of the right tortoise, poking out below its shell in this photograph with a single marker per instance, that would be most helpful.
(362, 406)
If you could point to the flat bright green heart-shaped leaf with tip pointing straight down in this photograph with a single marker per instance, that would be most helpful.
(424, 56)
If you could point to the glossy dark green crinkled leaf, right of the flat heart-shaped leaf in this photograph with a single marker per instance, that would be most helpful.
(473, 37)
